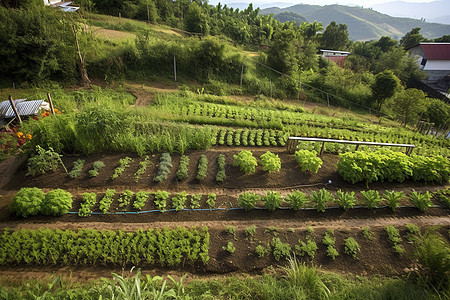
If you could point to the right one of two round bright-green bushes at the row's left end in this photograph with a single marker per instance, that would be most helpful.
(56, 202)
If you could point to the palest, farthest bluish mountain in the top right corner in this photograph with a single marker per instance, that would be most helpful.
(436, 11)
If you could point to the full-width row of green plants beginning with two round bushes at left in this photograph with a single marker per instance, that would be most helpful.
(32, 201)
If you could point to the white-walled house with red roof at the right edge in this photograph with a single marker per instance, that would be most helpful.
(434, 59)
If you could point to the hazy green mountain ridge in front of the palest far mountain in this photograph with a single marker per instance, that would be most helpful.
(363, 24)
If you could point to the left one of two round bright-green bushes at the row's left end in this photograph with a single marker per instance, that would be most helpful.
(27, 202)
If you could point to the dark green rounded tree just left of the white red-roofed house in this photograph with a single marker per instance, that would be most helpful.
(384, 87)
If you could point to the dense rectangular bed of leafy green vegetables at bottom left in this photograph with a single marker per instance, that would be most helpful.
(164, 247)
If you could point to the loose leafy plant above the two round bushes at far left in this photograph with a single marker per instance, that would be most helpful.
(44, 161)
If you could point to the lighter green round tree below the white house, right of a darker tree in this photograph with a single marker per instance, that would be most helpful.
(409, 105)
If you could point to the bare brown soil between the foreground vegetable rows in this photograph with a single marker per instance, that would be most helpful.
(376, 257)
